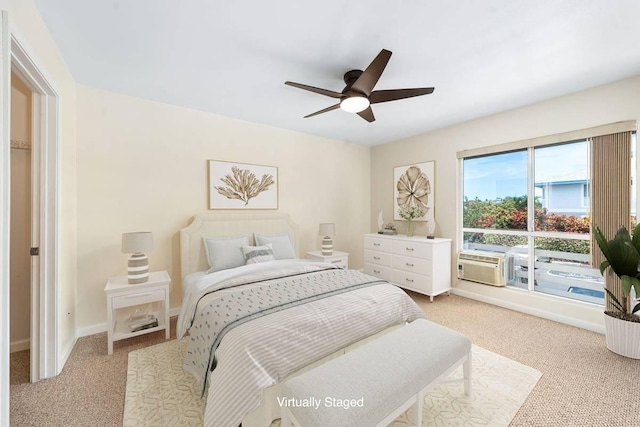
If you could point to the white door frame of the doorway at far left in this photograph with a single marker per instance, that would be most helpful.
(45, 347)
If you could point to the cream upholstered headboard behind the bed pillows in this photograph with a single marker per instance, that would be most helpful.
(227, 224)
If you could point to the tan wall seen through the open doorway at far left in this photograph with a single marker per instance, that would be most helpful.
(20, 283)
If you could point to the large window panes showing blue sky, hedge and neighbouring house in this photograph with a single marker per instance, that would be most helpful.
(532, 205)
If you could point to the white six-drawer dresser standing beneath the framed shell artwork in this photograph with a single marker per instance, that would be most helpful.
(416, 263)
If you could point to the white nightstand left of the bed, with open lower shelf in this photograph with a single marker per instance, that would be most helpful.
(122, 299)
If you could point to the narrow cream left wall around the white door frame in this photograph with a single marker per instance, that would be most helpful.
(27, 25)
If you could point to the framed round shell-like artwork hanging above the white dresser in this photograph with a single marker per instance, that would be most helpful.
(414, 185)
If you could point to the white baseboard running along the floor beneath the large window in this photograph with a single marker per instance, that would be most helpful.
(533, 310)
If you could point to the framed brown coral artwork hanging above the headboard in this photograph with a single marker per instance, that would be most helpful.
(242, 186)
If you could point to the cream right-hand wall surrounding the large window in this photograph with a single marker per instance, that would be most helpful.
(606, 104)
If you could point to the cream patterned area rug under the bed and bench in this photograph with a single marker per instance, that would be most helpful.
(161, 393)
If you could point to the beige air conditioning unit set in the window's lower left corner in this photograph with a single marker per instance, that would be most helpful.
(483, 267)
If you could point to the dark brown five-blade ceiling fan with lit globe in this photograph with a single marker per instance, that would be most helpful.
(358, 94)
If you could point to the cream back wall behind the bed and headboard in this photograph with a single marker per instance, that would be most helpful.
(142, 166)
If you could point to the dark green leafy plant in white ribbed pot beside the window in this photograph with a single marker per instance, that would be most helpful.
(622, 325)
